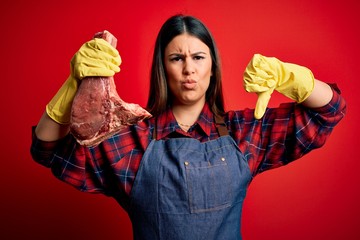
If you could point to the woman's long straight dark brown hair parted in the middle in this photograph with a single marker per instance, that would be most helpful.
(159, 95)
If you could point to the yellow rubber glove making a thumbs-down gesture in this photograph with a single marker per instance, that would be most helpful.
(263, 75)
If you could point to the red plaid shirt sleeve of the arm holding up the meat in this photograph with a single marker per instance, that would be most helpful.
(93, 169)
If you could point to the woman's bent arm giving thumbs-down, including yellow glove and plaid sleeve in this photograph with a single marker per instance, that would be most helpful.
(292, 130)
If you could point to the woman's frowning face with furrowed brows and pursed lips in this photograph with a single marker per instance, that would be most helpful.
(188, 68)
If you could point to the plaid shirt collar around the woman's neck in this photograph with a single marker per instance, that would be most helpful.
(166, 123)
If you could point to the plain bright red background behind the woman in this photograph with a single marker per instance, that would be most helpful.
(316, 197)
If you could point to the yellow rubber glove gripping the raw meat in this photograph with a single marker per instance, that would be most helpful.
(95, 58)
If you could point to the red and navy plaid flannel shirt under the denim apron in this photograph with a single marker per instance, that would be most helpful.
(284, 134)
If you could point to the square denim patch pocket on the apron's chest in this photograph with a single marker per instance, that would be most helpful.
(209, 186)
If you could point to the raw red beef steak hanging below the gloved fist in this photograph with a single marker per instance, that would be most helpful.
(98, 112)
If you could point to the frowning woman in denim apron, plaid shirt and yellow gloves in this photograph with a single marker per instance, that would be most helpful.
(183, 174)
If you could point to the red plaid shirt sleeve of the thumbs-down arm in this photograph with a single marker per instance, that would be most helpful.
(285, 133)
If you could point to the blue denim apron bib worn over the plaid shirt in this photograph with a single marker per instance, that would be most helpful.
(185, 189)
